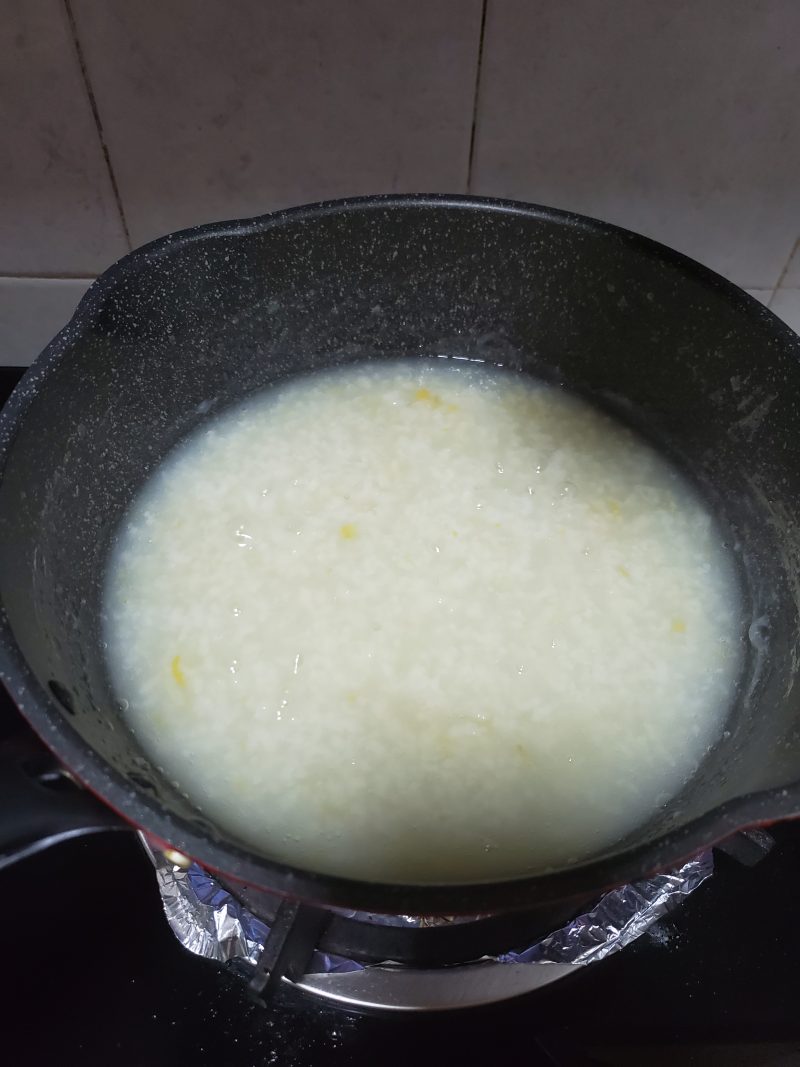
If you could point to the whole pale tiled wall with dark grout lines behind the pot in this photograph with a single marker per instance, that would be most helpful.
(673, 118)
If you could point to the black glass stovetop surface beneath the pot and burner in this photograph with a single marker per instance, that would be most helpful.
(94, 976)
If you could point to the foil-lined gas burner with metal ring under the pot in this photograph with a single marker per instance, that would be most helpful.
(394, 963)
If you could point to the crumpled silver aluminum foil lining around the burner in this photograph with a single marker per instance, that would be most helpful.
(210, 922)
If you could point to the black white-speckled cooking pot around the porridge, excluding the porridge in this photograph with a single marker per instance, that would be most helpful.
(180, 330)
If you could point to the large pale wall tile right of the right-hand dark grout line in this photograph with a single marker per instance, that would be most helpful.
(676, 119)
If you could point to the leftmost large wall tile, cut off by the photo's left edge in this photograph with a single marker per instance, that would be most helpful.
(58, 213)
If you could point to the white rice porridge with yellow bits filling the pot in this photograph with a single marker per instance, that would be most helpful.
(423, 622)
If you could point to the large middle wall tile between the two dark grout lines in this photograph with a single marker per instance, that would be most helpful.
(223, 110)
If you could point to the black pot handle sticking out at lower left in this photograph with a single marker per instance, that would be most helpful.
(40, 802)
